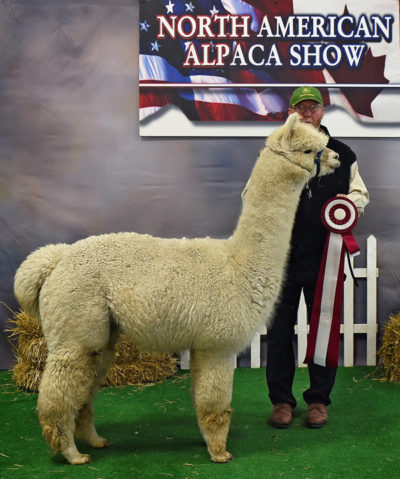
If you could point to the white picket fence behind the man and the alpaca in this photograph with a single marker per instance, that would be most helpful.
(348, 328)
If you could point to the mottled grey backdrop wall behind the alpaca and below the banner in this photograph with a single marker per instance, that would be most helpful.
(72, 163)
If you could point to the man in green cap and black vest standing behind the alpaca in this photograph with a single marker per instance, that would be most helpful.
(308, 240)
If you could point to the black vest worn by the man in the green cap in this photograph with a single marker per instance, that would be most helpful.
(309, 233)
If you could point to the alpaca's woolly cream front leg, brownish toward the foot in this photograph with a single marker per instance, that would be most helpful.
(212, 380)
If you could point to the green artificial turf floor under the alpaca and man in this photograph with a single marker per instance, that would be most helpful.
(154, 434)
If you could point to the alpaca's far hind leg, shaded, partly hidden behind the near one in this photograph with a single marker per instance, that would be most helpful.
(84, 425)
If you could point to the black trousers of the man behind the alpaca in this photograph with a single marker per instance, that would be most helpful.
(280, 353)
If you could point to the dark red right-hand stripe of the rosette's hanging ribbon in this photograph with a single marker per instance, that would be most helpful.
(334, 338)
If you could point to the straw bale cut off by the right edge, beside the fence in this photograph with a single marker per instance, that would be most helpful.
(389, 352)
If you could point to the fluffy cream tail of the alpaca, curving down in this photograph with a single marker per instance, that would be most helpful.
(32, 274)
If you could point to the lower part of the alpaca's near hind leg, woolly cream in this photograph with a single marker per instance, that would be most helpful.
(66, 384)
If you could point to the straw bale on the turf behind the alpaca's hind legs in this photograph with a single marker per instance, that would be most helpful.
(130, 366)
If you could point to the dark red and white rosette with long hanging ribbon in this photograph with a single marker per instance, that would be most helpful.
(339, 215)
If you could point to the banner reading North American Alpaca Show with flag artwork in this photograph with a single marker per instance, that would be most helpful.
(238, 61)
